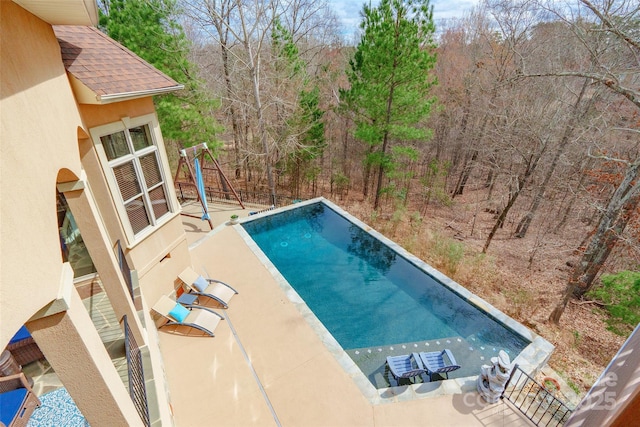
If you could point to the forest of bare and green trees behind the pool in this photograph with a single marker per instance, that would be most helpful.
(533, 105)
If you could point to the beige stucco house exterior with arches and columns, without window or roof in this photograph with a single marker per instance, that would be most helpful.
(46, 145)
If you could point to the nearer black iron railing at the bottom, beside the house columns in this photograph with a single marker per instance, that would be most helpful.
(135, 371)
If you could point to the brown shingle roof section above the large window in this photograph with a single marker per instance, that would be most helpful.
(106, 67)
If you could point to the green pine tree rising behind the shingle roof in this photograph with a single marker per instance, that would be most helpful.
(149, 29)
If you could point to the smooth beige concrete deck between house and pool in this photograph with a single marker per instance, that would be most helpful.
(268, 366)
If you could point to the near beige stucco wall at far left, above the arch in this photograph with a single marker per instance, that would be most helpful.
(39, 134)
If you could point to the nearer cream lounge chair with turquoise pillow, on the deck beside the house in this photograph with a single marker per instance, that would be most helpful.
(200, 318)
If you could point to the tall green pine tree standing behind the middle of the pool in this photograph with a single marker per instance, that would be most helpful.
(390, 79)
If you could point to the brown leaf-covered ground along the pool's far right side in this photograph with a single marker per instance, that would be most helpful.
(523, 277)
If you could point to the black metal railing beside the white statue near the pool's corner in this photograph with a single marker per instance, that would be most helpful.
(537, 403)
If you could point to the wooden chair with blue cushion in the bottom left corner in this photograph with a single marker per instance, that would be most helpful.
(17, 400)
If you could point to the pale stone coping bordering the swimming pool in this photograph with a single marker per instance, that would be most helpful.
(531, 359)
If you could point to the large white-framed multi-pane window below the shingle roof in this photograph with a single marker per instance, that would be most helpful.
(133, 159)
